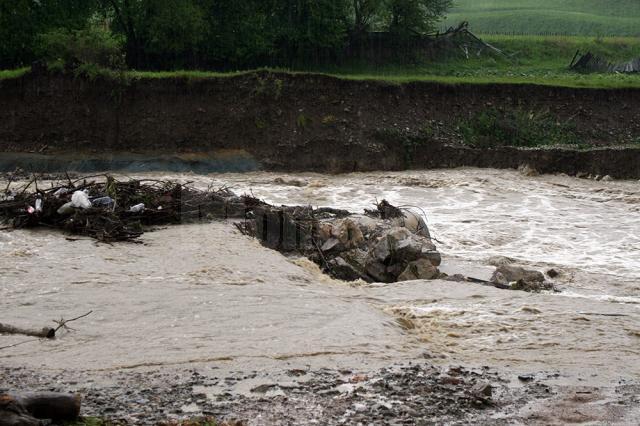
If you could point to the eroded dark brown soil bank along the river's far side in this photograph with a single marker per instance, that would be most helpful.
(311, 122)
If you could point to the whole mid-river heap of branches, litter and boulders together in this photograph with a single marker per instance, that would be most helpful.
(386, 244)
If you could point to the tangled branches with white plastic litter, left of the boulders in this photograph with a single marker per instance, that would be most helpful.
(110, 210)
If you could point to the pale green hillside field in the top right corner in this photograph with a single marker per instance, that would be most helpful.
(544, 17)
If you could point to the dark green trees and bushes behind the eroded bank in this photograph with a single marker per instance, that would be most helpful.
(206, 34)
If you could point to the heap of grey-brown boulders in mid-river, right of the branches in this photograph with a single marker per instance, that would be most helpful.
(383, 245)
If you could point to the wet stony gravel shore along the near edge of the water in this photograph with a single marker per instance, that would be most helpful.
(401, 394)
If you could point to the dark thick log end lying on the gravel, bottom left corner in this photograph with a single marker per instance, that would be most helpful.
(29, 408)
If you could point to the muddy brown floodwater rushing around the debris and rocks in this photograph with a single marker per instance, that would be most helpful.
(204, 293)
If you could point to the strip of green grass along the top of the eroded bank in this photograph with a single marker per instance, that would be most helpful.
(538, 60)
